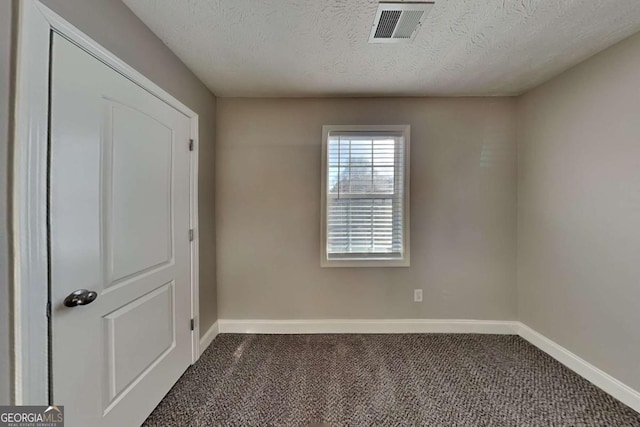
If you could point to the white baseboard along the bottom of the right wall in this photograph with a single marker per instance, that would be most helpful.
(599, 378)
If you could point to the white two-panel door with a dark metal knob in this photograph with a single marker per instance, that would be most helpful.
(119, 224)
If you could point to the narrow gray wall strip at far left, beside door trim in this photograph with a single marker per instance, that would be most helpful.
(6, 65)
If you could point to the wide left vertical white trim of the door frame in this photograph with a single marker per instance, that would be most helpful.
(29, 208)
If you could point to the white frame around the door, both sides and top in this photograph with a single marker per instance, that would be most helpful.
(29, 211)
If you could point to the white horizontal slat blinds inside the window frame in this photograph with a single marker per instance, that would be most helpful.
(365, 195)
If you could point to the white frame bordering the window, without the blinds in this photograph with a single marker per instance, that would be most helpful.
(350, 262)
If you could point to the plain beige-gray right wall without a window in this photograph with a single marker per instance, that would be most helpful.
(579, 210)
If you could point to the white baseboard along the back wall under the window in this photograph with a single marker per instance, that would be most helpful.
(367, 326)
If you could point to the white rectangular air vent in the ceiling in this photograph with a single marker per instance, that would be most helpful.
(398, 21)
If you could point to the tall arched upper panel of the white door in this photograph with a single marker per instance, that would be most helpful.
(140, 149)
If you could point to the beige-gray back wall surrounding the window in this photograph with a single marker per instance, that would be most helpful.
(463, 211)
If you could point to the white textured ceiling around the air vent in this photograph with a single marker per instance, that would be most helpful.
(319, 47)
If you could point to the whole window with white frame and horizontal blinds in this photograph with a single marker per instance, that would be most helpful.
(365, 196)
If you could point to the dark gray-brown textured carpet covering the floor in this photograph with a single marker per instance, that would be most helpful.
(384, 380)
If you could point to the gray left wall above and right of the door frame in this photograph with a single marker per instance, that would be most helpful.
(115, 27)
